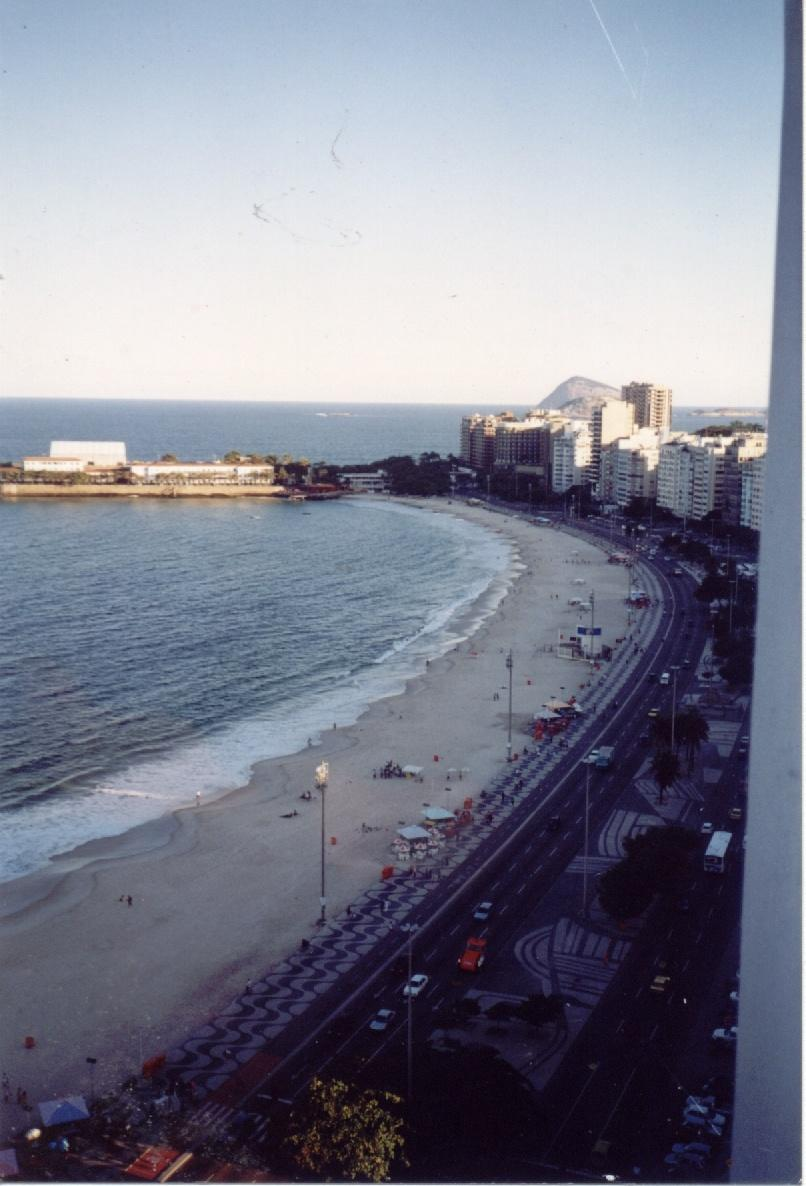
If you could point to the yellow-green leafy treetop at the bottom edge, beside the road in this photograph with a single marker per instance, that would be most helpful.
(347, 1134)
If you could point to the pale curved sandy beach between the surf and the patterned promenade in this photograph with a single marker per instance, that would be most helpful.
(223, 890)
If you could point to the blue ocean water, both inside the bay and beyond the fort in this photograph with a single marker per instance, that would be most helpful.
(152, 651)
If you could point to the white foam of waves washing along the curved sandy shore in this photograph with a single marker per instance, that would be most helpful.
(223, 760)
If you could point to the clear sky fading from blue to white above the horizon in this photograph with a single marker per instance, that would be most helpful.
(373, 200)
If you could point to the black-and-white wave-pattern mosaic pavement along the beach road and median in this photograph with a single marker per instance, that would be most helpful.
(567, 957)
